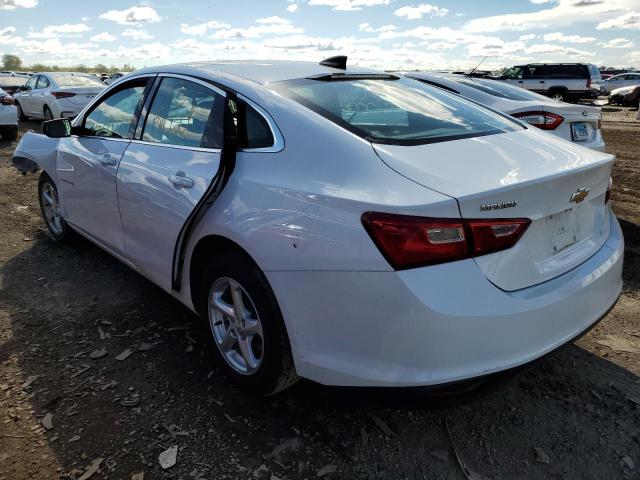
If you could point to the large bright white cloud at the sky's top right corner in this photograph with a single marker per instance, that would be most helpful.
(566, 12)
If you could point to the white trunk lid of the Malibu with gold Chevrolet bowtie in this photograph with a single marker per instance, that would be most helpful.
(526, 174)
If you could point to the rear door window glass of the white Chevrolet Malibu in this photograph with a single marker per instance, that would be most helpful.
(185, 113)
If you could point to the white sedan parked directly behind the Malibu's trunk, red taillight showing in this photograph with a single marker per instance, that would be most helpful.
(577, 123)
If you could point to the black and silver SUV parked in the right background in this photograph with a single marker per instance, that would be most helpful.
(564, 82)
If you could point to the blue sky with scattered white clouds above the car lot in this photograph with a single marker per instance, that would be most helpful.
(389, 34)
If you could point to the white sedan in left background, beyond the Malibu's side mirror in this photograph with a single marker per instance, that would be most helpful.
(56, 94)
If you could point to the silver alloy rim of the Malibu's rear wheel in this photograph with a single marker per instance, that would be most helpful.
(236, 326)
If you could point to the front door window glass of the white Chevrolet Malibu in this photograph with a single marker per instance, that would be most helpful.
(115, 116)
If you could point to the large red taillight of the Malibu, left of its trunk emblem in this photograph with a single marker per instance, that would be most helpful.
(408, 241)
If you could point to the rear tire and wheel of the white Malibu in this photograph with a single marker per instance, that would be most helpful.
(248, 331)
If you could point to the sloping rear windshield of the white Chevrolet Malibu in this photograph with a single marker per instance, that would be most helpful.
(394, 111)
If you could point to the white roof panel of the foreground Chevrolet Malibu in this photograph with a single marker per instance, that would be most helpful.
(259, 71)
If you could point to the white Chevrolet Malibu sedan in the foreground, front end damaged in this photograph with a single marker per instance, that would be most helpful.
(338, 224)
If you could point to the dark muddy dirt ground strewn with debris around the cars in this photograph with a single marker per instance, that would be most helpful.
(66, 414)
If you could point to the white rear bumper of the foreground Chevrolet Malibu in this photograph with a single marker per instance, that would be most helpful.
(439, 324)
